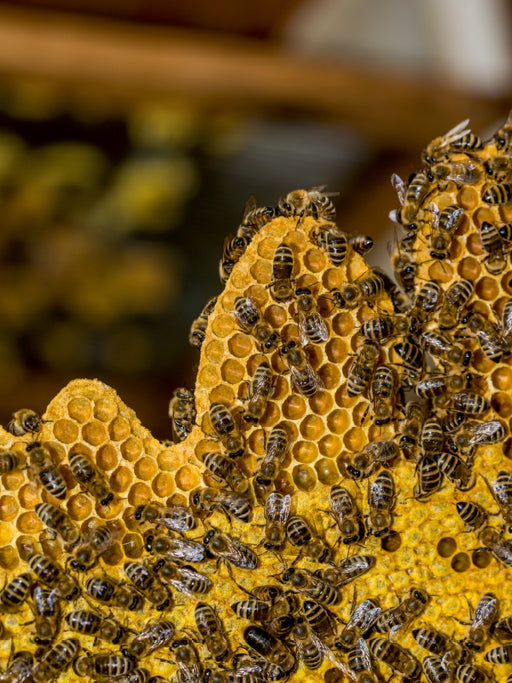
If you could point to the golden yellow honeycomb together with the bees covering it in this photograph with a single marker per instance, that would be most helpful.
(337, 503)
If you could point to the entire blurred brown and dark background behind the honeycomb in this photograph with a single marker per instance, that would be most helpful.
(132, 134)
